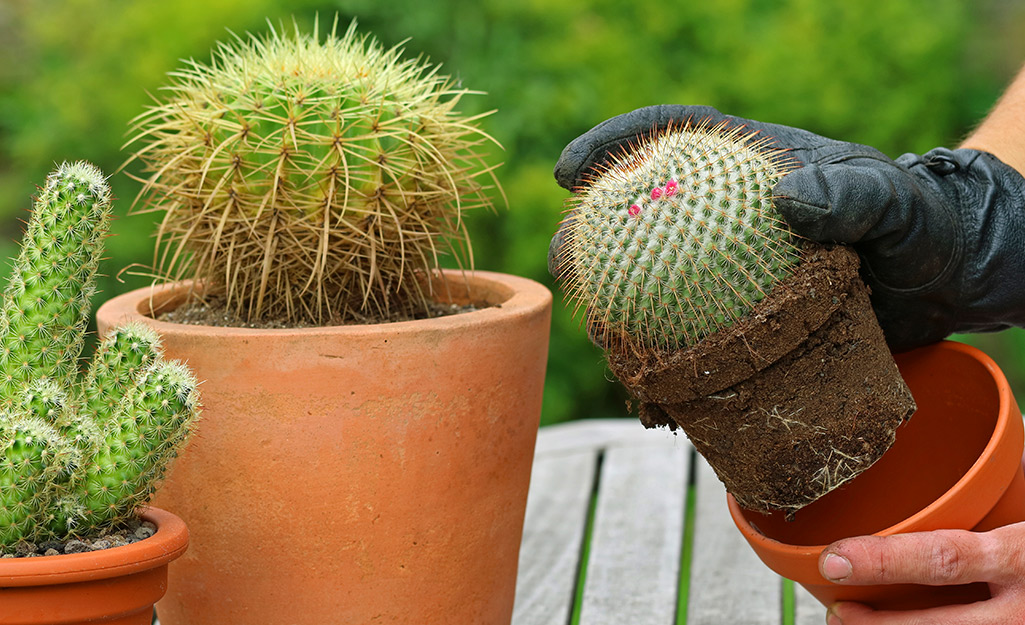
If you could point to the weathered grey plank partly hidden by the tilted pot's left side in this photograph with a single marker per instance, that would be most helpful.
(729, 584)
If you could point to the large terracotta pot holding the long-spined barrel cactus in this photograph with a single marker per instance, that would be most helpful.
(357, 474)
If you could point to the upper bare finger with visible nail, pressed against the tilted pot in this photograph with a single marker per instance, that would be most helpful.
(940, 558)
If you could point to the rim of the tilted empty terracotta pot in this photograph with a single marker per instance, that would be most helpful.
(1009, 426)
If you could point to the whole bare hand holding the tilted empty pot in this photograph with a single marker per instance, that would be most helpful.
(938, 559)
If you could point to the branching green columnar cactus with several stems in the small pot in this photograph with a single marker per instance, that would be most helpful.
(78, 453)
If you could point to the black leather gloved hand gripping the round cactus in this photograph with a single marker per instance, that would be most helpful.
(941, 235)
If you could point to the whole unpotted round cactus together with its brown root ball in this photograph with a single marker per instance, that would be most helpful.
(761, 346)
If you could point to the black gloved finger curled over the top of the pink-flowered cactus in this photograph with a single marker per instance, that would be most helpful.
(616, 135)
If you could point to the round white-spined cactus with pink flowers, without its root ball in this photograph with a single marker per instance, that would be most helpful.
(677, 238)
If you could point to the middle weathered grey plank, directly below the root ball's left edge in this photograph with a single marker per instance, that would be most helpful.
(634, 569)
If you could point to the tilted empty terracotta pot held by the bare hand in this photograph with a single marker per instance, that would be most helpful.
(956, 465)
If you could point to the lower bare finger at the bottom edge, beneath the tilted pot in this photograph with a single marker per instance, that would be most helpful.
(1003, 610)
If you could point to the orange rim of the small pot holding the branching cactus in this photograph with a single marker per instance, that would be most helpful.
(170, 543)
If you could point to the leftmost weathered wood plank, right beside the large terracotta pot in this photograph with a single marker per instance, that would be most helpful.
(554, 528)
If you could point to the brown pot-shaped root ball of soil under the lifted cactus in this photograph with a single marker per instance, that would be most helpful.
(791, 403)
